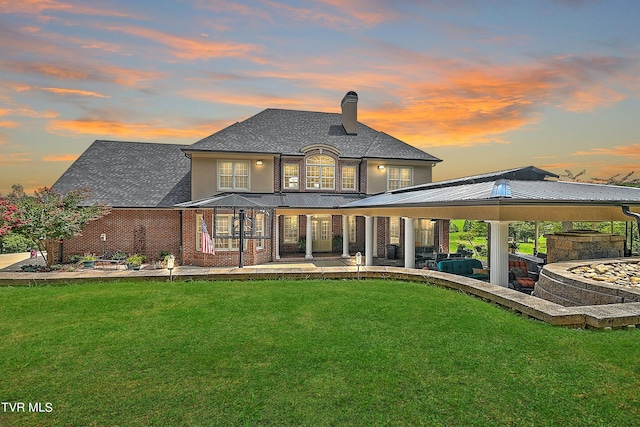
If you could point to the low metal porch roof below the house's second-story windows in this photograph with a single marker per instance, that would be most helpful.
(274, 200)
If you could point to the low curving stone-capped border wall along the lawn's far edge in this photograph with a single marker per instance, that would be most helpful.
(595, 316)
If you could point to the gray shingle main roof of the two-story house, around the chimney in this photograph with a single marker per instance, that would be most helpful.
(287, 131)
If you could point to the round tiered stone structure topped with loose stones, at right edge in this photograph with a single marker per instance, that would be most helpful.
(594, 282)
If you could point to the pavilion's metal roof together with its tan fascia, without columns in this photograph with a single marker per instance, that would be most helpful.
(506, 199)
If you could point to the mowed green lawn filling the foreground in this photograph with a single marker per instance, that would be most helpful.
(303, 353)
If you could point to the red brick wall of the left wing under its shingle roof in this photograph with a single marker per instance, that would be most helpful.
(144, 231)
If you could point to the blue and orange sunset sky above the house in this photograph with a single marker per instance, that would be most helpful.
(484, 85)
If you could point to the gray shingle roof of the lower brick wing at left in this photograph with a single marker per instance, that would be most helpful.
(130, 174)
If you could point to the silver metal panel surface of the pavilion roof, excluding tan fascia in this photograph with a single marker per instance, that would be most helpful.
(512, 192)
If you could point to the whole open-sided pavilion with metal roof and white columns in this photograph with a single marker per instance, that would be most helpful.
(522, 194)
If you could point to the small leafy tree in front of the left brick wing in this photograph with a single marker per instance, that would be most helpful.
(48, 217)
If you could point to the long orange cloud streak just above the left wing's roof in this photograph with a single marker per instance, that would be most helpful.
(132, 131)
